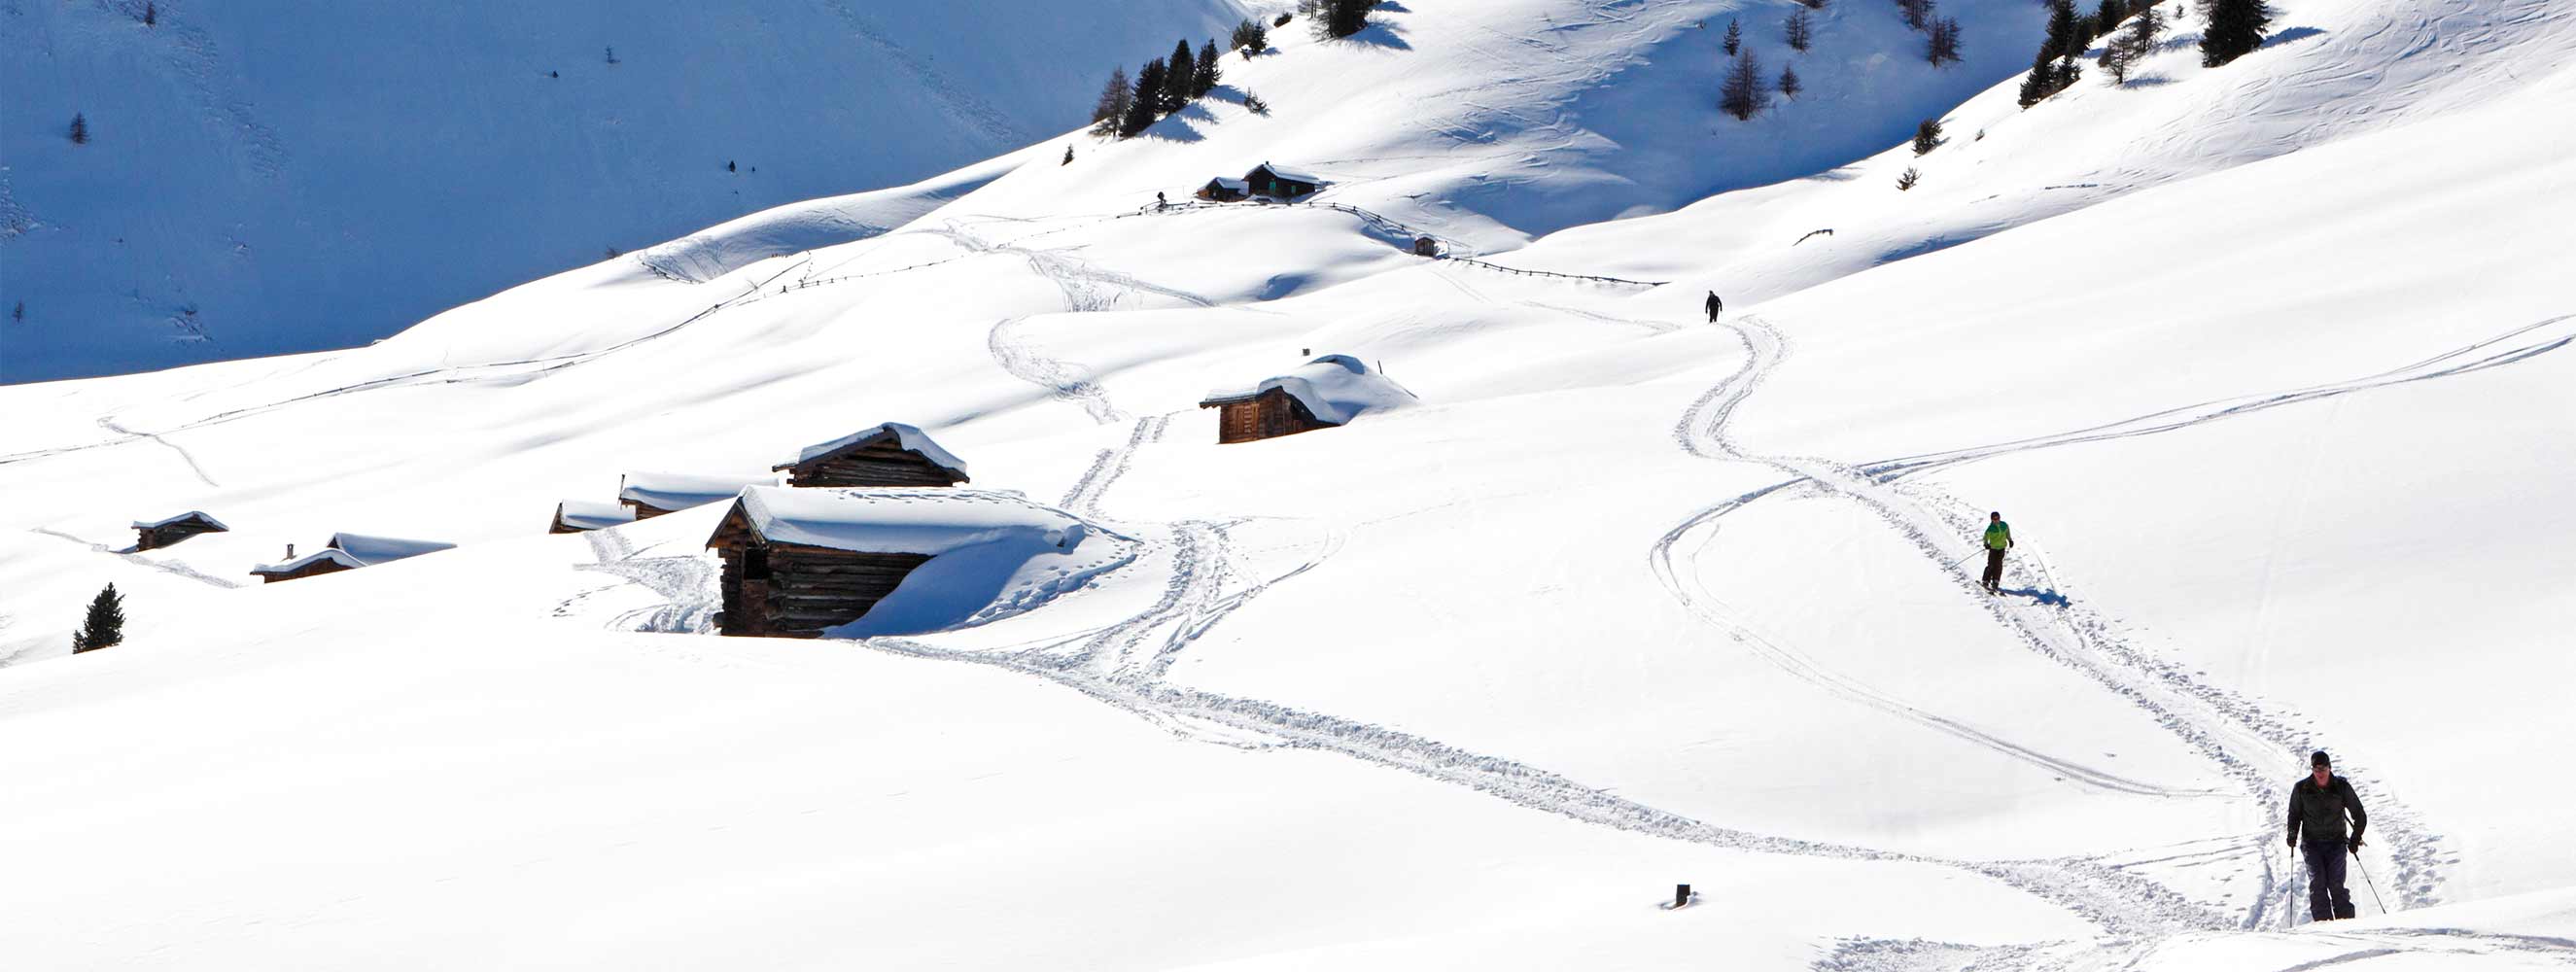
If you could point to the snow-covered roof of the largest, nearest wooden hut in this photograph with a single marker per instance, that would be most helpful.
(903, 520)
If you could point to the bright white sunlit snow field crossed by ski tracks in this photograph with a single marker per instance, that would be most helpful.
(2268, 367)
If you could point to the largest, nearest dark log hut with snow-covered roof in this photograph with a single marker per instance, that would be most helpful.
(808, 561)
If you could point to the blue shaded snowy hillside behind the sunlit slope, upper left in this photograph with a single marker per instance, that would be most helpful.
(264, 182)
